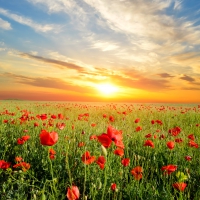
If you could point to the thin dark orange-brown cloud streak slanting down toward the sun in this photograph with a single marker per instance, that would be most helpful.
(60, 64)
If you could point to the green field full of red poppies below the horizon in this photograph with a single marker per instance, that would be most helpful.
(69, 150)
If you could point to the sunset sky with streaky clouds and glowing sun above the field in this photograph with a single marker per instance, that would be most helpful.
(100, 50)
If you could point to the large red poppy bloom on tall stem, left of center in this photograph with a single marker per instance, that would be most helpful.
(48, 139)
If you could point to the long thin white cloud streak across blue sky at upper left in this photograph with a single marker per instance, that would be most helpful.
(29, 22)
